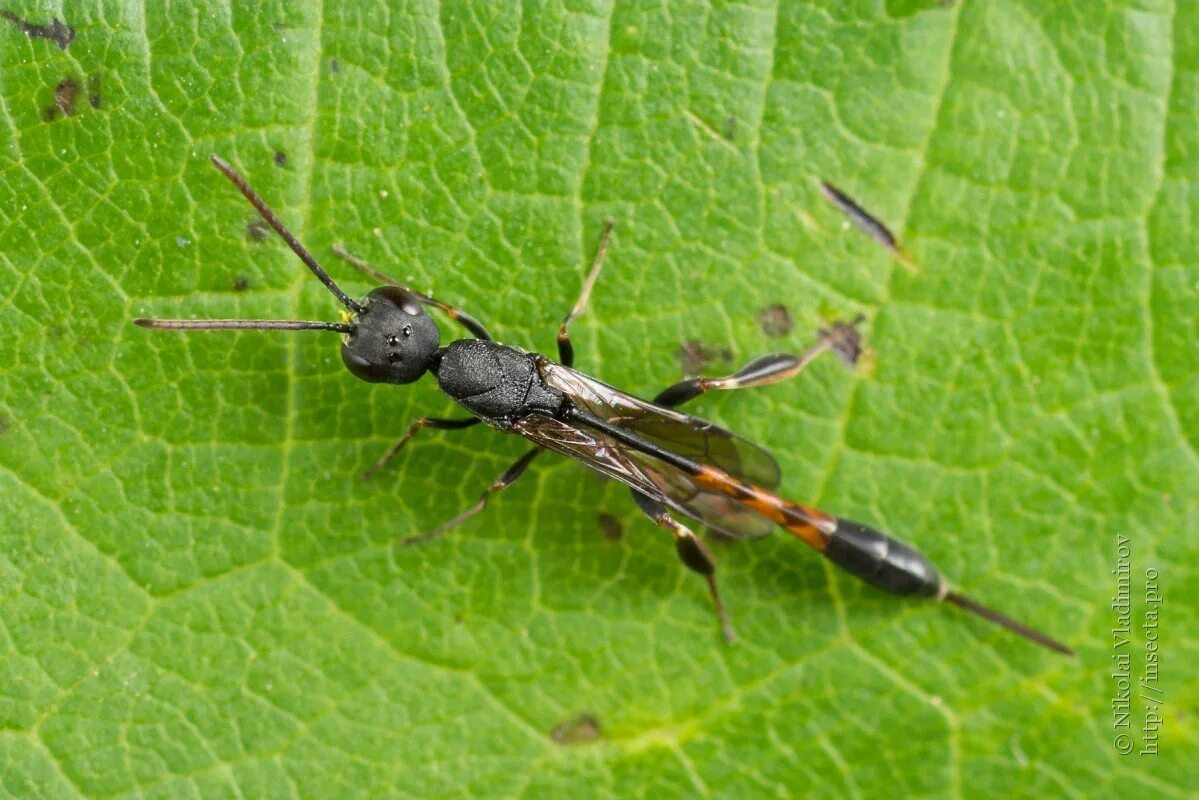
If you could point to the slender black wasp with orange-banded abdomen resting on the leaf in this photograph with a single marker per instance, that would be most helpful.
(674, 464)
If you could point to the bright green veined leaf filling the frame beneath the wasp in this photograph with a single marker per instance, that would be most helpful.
(200, 598)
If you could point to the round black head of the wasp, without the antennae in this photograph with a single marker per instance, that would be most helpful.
(394, 339)
